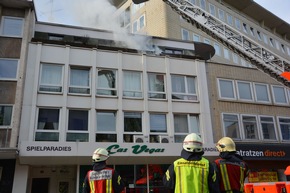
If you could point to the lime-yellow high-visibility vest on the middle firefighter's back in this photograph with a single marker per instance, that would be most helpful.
(191, 176)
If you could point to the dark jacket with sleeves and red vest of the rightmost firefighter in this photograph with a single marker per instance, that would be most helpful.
(232, 171)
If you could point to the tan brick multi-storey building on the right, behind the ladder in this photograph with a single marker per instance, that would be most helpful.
(245, 103)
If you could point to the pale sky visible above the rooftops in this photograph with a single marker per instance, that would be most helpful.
(60, 11)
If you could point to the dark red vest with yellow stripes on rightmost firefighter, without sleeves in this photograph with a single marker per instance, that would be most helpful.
(232, 175)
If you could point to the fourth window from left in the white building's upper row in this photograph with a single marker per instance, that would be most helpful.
(132, 84)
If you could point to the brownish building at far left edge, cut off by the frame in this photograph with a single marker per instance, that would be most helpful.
(16, 19)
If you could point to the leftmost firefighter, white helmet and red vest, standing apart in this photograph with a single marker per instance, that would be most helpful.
(102, 179)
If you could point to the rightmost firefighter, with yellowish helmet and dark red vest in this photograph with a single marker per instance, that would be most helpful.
(232, 170)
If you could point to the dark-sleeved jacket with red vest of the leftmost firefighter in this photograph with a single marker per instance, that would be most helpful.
(103, 180)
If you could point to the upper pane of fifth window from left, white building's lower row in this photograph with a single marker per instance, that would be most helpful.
(158, 123)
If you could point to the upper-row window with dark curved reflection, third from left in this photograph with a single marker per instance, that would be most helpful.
(106, 84)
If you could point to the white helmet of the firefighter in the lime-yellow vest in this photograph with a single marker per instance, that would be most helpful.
(192, 143)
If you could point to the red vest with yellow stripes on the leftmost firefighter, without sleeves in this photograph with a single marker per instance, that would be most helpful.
(101, 181)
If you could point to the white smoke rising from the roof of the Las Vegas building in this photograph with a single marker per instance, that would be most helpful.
(99, 14)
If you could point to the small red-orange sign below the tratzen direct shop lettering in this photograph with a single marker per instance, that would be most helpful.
(263, 177)
